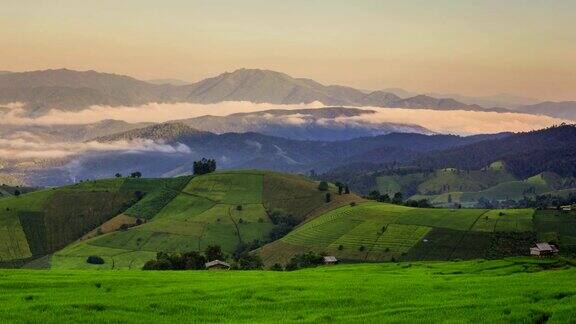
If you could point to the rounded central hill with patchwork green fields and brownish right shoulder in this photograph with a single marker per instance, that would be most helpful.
(224, 208)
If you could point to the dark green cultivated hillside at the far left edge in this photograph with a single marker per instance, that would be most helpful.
(42, 222)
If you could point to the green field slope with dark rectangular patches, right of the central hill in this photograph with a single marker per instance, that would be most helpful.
(374, 231)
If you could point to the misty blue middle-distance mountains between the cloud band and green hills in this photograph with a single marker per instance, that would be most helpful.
(234, 150)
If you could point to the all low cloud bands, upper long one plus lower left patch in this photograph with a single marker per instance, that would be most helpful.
(28, 146)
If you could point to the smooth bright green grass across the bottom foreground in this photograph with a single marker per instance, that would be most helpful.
(515, 290)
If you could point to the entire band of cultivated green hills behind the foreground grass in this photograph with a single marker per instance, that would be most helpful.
(127, 221)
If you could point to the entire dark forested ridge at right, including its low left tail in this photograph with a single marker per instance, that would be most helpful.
(523, 155)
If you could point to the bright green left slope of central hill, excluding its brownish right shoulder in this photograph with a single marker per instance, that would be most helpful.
(205, 213)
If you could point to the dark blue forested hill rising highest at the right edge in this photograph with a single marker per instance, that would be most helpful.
(525, 154)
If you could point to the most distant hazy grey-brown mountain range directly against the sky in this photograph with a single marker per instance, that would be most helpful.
(73, 90)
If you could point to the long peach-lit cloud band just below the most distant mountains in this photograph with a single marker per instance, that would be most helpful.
(451, 121)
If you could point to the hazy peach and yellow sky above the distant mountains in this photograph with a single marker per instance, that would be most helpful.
(470, 47)
